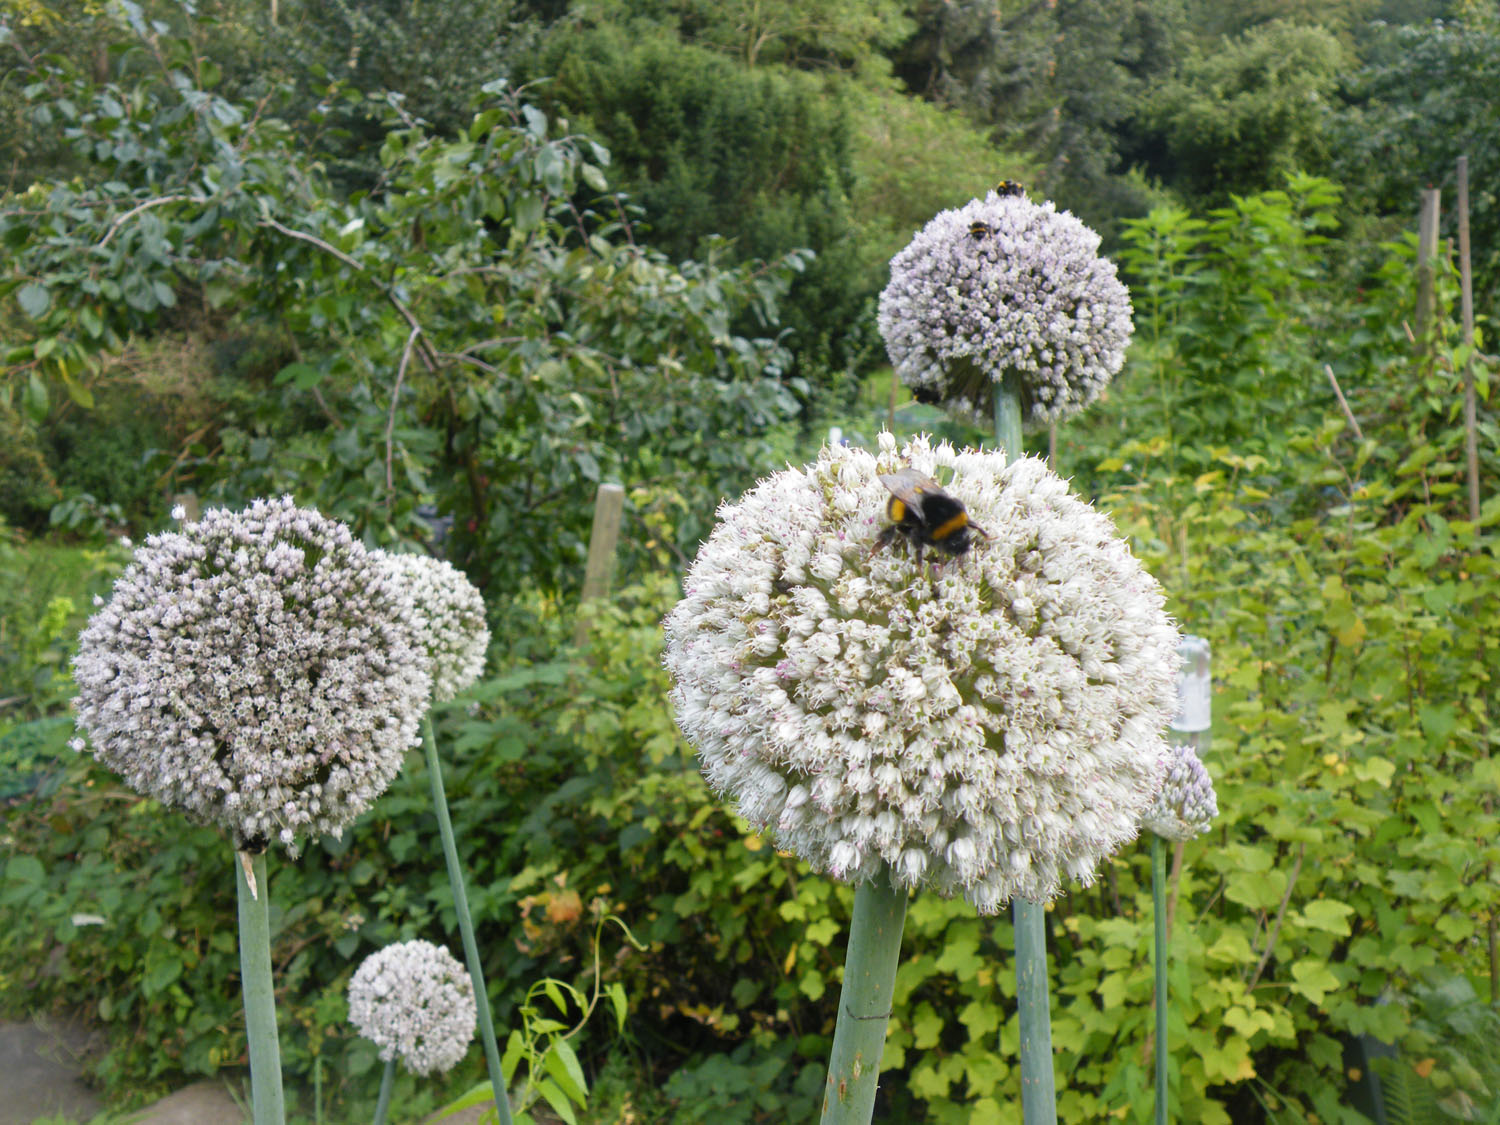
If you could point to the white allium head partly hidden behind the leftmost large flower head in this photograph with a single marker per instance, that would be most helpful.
(448, 620)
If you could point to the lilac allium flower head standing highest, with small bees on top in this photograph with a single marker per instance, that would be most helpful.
(1006, 284)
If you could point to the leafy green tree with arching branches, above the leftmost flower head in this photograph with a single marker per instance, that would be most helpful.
(470, 338)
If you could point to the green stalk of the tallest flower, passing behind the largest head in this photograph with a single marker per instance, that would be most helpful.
(1039, 1085)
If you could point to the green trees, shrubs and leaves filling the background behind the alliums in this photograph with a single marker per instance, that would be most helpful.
(440, 269)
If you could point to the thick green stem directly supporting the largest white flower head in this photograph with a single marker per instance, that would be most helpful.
(865, 1003)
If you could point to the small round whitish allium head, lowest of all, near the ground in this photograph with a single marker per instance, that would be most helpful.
(416, 1003)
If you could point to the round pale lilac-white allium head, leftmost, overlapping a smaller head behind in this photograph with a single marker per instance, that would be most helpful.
(254, 671)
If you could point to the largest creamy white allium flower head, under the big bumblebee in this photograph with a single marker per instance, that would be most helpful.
(986, 727)
